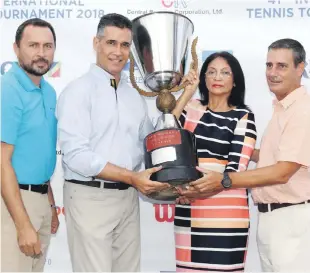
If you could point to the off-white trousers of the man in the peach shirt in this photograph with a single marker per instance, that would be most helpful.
(283, 238)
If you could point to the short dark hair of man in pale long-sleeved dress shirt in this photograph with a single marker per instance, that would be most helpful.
(113, 20)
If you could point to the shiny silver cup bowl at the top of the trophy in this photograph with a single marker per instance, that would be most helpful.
(160, 42)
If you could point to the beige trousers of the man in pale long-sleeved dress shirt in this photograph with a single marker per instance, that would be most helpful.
(103, 227)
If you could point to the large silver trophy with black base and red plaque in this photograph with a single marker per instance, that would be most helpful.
(160, 44)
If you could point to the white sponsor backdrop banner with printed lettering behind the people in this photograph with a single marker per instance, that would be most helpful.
(244, 28)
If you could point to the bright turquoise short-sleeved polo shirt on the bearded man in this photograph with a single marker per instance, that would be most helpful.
(28, 122)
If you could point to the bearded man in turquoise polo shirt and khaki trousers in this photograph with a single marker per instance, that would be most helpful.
(28, 150)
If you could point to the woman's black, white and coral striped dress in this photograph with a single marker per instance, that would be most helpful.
(212, 234)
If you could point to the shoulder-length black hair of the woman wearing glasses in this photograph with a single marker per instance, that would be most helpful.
(236, 97)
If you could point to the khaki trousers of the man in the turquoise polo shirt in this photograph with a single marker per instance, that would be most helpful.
(40, 213)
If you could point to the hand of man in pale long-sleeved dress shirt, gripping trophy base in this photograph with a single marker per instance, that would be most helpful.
(141, 181)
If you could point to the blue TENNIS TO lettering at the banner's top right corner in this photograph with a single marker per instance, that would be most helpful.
(272, 9)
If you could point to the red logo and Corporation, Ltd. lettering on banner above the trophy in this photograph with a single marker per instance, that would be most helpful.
(186, 7)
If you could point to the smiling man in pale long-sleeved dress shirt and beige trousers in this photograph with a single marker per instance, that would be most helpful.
(102, 122)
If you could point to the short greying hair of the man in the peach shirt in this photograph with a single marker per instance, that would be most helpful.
(299, 52)
